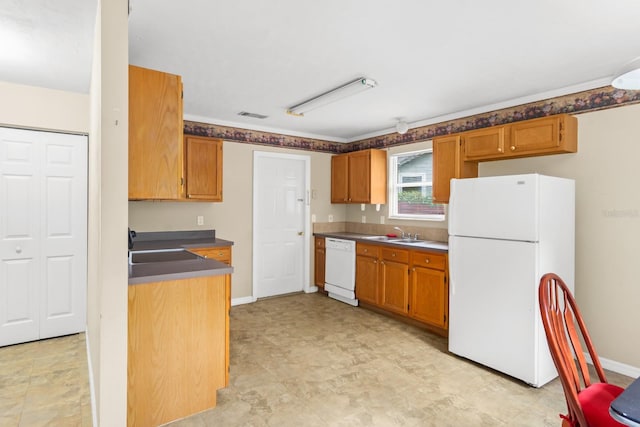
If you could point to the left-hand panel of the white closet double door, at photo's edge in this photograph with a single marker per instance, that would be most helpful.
(19, 242)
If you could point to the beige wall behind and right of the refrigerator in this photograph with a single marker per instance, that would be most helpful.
(607, 224)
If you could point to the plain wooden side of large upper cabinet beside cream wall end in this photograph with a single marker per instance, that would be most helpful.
(155, 135)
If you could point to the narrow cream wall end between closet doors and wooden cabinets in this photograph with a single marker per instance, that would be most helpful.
(108, 191)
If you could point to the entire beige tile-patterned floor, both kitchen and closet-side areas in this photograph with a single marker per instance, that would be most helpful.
(301, 360)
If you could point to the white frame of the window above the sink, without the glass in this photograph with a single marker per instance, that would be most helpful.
(393, 188)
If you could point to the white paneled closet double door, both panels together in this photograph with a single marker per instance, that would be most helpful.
(43, 240)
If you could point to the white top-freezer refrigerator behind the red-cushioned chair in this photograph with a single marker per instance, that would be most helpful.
(505, 232)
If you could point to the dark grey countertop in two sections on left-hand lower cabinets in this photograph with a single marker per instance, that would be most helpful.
(176, 270)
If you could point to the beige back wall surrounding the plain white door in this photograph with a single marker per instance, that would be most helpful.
(233, 218)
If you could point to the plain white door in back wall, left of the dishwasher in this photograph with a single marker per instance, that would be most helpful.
(280, 218)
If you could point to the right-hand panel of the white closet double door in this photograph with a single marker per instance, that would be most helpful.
(63, 237)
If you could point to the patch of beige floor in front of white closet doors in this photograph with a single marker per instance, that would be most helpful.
(45, 383)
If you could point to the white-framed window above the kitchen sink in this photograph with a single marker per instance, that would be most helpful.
(411, 188)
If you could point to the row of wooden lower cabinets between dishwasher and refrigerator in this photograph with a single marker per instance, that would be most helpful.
(410, 283)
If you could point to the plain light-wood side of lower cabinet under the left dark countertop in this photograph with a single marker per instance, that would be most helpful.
(177, 348)
